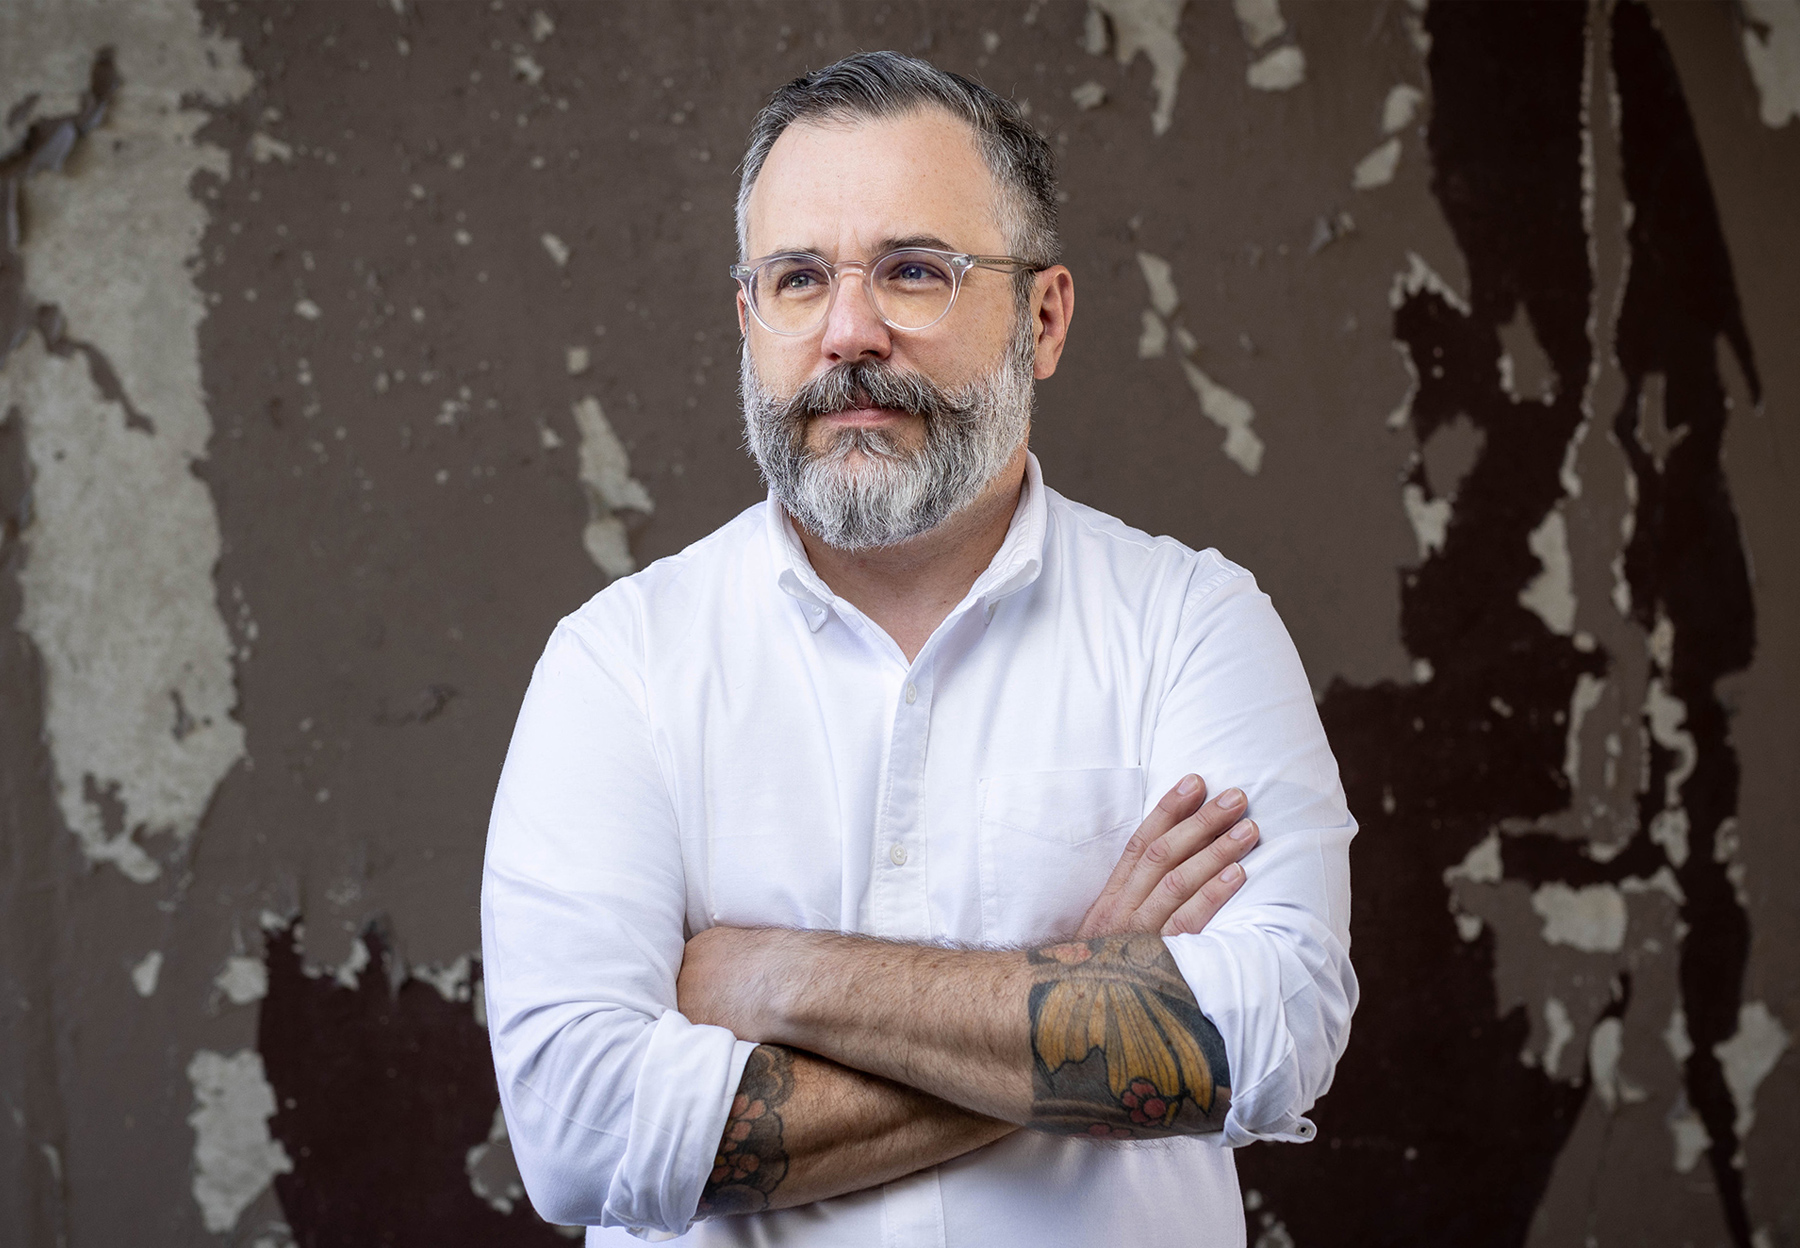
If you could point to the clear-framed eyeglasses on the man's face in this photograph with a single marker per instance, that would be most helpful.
(912, 289)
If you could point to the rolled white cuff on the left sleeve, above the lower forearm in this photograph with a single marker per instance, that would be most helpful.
(685, 1089)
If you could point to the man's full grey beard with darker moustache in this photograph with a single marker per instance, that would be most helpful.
(894, 493)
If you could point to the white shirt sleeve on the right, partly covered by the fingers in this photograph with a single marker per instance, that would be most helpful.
(1273, 968)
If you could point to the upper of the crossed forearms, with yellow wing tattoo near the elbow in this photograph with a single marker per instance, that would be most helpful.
(1093, 1036)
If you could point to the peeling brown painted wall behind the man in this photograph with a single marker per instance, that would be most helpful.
(352, 343)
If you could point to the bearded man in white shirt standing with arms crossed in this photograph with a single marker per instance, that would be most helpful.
(921, 698)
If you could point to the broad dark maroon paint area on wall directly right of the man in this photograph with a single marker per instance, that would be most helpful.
(1432, 1105)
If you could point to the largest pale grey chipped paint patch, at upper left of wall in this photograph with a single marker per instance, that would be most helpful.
(118, 579)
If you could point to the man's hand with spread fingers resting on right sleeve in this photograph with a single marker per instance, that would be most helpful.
(1178, 869)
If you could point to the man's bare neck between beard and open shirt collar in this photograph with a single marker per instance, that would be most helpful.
(908, 590)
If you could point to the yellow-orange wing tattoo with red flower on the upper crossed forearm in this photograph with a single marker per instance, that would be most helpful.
(1120, 1049)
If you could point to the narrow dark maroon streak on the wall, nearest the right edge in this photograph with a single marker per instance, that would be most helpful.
(1686, 559)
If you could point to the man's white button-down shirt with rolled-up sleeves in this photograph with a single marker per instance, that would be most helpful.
(723, 741)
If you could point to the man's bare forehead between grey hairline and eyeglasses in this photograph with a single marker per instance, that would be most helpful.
(845, 185)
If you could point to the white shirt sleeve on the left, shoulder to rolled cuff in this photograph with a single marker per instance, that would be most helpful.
(615, 1103)
